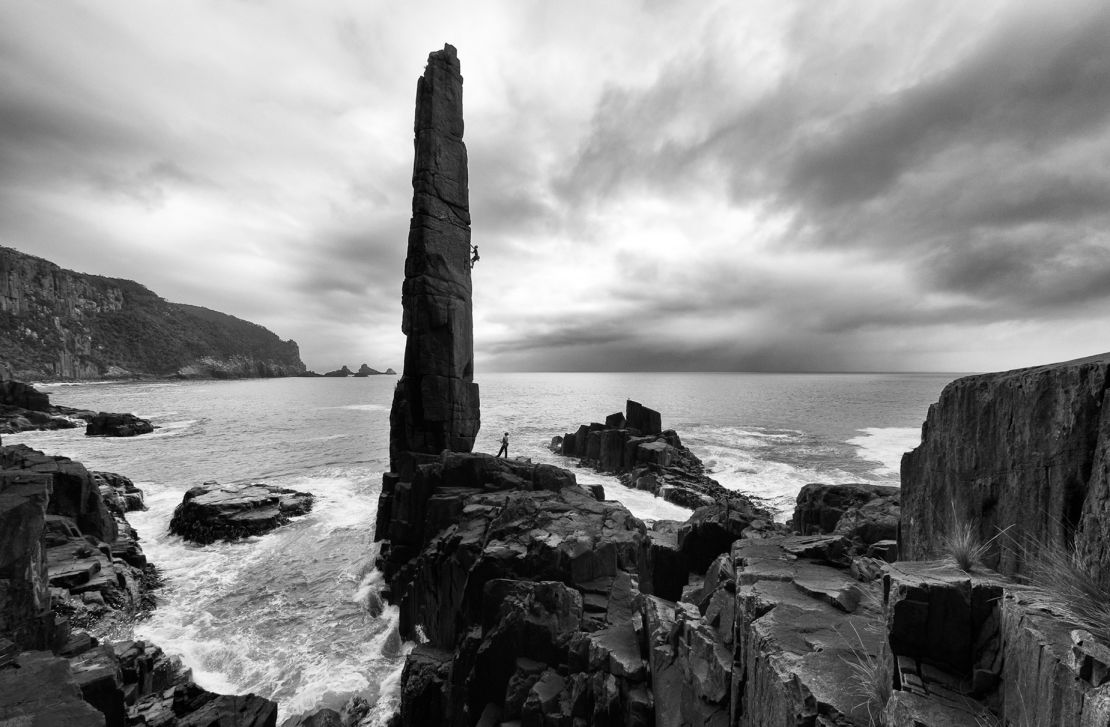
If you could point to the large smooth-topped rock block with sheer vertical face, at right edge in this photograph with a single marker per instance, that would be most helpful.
(1025, 452)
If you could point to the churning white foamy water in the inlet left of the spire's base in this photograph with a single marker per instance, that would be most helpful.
(286, 614)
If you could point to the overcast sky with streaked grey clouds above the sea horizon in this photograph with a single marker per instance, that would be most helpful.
(654, 186)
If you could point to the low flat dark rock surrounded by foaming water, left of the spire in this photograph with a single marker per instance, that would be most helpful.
(214, 512)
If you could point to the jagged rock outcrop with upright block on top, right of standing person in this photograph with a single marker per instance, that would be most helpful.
(634, 446)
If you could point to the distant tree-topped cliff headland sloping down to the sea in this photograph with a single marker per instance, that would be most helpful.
(62, 325)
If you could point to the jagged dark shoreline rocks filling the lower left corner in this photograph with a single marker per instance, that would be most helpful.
(54, 578)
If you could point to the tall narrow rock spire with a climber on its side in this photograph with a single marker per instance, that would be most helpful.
(436, 406)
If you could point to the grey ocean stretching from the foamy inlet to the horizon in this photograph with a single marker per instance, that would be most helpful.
(290, 615)
